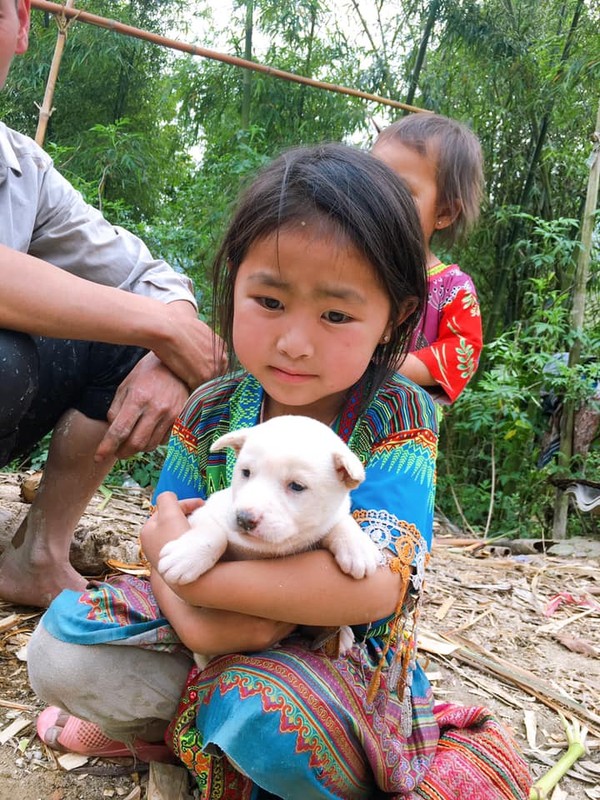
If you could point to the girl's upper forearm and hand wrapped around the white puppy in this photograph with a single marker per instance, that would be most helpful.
(308, 588)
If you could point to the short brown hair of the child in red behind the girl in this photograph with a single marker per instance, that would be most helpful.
(459, 161)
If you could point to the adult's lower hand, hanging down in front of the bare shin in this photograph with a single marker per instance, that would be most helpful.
(143, 410)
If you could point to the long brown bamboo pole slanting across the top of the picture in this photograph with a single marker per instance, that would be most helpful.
(195, 50)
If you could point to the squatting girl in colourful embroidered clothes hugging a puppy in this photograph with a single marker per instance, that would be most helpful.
(319, 283)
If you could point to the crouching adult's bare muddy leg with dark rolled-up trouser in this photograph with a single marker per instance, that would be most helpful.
(75, 385)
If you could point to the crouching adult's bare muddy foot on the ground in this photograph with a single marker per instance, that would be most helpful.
(27, 584)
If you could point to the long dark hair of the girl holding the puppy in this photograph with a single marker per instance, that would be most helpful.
(332, 188)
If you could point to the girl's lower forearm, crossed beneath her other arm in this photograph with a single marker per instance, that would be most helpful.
(213, 632)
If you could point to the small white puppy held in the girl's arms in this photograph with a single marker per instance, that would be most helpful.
(290, 492)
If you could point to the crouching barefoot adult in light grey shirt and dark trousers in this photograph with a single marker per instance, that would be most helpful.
(99, 343)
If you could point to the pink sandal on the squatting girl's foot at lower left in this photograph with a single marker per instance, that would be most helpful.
(87, 739)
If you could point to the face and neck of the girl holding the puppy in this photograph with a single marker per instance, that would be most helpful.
(308, 315)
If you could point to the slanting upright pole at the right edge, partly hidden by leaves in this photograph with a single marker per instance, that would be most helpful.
(582, 272)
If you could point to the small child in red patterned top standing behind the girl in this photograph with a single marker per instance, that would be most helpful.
(441, 162)
